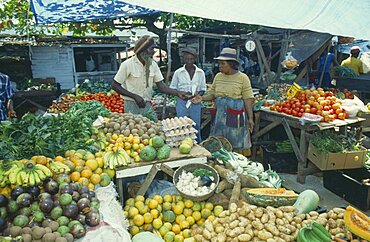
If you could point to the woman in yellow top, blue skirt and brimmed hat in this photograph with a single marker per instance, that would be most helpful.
(233, 95)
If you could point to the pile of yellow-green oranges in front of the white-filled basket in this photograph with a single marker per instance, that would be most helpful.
(170, 217)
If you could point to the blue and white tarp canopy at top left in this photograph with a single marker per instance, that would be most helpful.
(52, 11)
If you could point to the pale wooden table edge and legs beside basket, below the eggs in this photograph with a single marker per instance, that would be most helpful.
(151, 169)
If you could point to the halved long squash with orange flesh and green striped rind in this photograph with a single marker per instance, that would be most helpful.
(275, 197)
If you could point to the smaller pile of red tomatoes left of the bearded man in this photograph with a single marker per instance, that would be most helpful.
(113, 102)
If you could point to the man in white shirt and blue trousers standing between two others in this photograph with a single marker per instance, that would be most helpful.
(183, 80)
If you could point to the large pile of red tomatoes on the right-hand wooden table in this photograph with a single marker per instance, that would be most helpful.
(314, 101)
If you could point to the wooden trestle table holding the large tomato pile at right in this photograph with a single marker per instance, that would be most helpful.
(274, 119)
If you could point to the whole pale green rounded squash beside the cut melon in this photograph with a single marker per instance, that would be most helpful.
(307, 201)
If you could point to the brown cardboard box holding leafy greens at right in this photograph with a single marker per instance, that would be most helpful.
(335, 161)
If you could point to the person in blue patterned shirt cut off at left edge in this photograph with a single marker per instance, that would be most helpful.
(6, 95)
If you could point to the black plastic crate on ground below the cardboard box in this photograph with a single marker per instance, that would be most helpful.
(347, 184)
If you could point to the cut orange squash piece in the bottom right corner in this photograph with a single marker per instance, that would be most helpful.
(357, 222)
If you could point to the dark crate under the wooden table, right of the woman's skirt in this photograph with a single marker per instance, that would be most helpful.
(279, 162)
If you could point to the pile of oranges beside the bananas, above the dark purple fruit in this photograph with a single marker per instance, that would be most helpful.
(87, 168)
